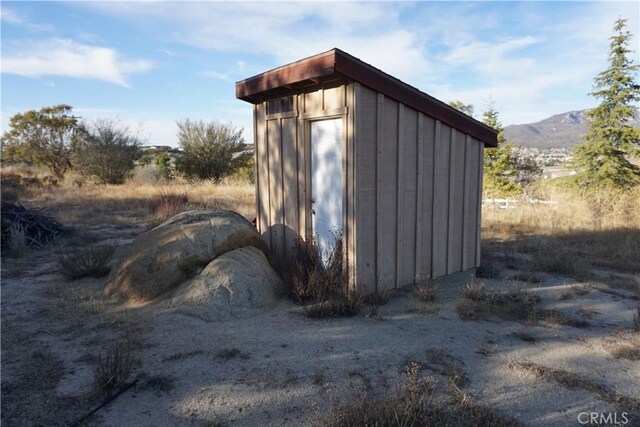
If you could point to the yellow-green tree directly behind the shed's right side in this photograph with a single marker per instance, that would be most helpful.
(500, 163)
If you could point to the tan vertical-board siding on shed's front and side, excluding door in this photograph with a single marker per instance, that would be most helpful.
(412, 185)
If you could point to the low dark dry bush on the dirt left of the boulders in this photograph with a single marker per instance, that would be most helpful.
(87, 262)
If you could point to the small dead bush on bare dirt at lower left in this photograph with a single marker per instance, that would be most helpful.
(113, 367)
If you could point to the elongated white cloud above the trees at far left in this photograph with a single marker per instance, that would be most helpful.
(63, 57)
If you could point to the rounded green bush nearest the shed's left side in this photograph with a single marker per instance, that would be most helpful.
(210, 150)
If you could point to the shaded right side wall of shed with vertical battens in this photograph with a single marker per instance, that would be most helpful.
(417, 194)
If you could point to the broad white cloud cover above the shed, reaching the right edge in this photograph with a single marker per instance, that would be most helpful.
(535, 59)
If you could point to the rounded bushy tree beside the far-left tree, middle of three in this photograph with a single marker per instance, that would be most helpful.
(107, 152)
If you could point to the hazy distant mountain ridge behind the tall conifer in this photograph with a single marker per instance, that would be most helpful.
(559, 131)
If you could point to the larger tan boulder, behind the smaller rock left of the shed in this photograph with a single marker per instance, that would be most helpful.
(177, 250)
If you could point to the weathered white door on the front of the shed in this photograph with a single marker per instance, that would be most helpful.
(326, 183)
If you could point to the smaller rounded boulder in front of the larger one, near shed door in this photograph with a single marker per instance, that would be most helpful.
(233, 285)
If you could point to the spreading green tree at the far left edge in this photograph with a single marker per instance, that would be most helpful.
(43, 137)
